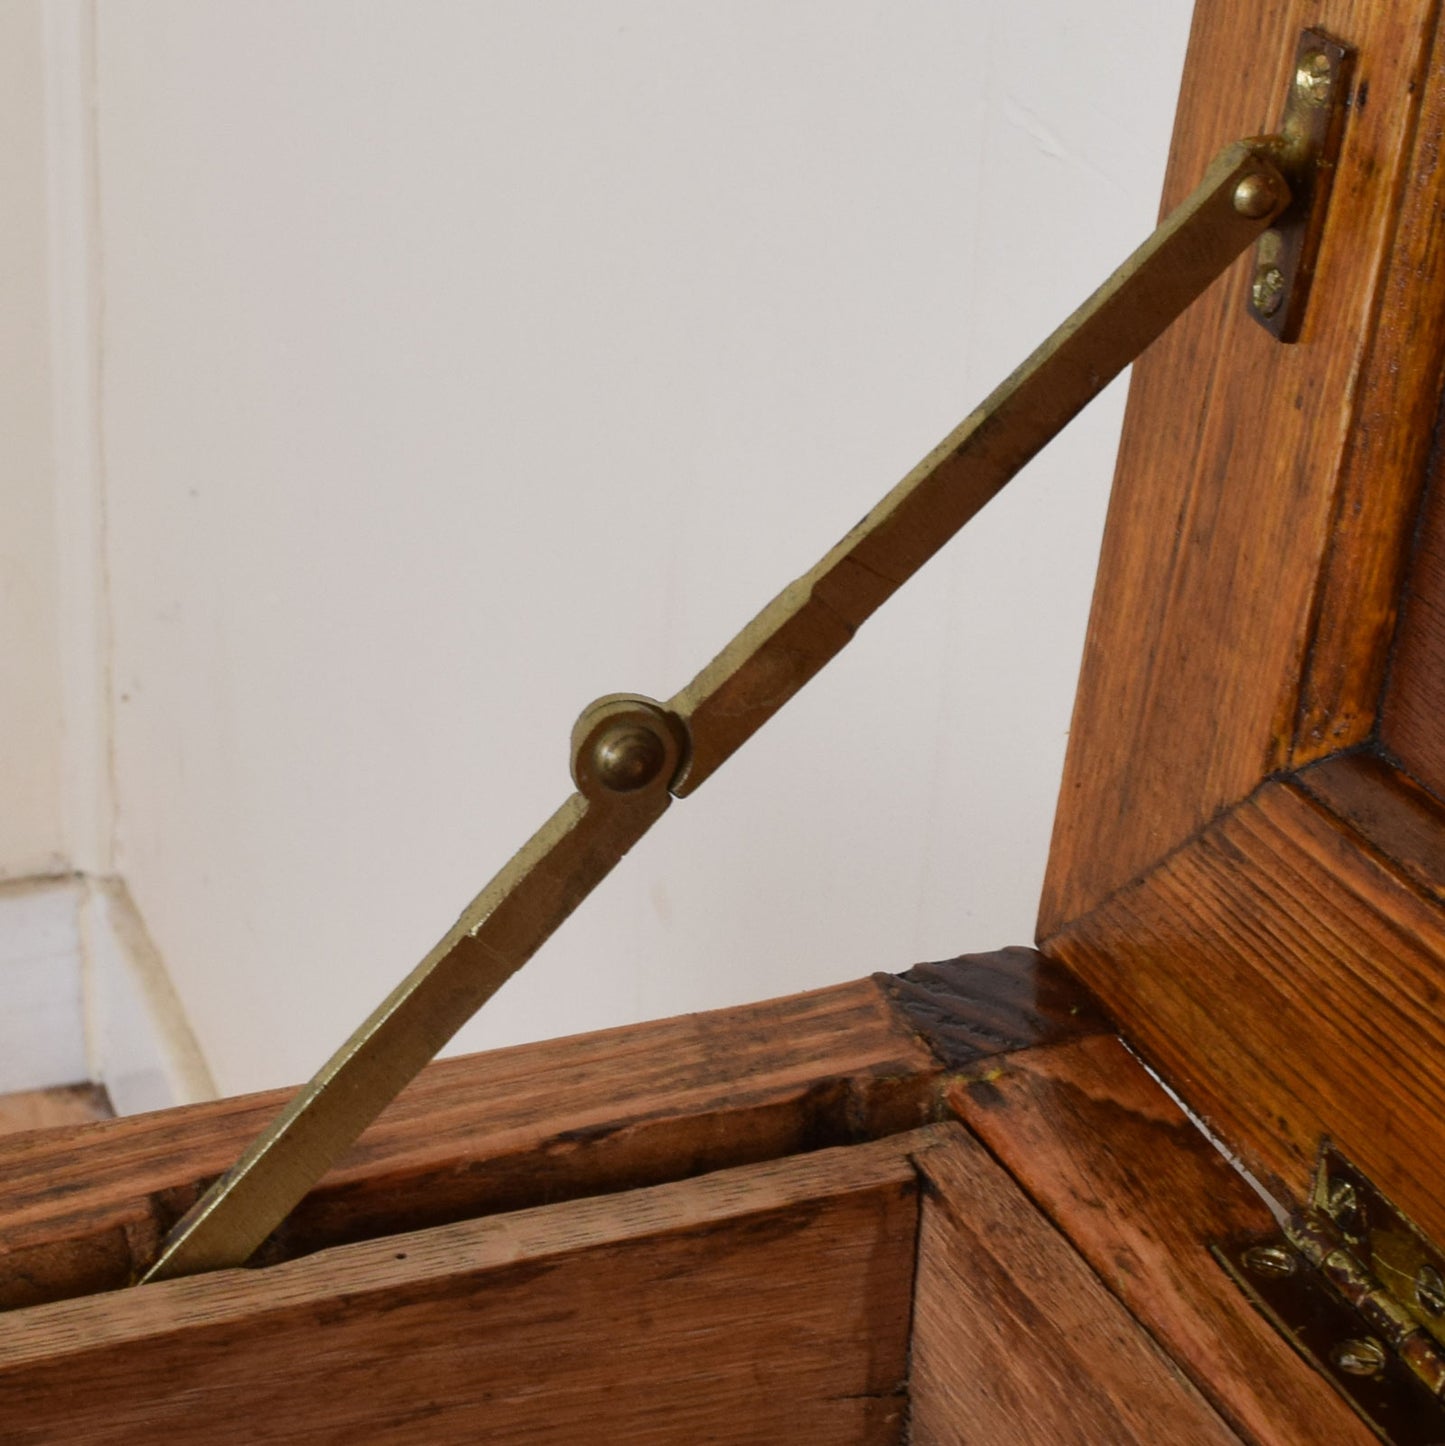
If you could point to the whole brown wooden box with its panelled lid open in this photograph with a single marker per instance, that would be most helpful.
(1172, 1175)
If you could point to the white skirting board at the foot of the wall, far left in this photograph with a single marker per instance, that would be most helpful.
(88, 998)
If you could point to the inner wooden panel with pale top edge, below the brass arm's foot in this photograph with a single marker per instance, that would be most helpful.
(762, 1305)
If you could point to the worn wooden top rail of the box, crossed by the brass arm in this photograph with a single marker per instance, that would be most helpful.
(85, 1210)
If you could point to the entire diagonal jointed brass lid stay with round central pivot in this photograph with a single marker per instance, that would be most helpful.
(633, 756)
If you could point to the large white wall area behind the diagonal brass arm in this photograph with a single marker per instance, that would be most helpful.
(464, 362)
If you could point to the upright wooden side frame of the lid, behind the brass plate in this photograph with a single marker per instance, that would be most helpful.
(1265, 494)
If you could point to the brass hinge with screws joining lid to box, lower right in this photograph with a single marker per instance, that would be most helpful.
(1360, 1292)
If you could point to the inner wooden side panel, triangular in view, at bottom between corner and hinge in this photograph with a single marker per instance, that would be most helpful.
(1016, 1341)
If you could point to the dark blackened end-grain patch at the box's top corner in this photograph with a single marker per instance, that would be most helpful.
(977, 1006)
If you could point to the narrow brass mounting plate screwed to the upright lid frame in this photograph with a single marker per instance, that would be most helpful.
(1314, 127)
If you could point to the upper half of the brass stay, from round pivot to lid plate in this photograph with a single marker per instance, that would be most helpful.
(811, 621)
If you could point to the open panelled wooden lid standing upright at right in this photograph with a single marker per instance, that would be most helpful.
(1249, 852)
